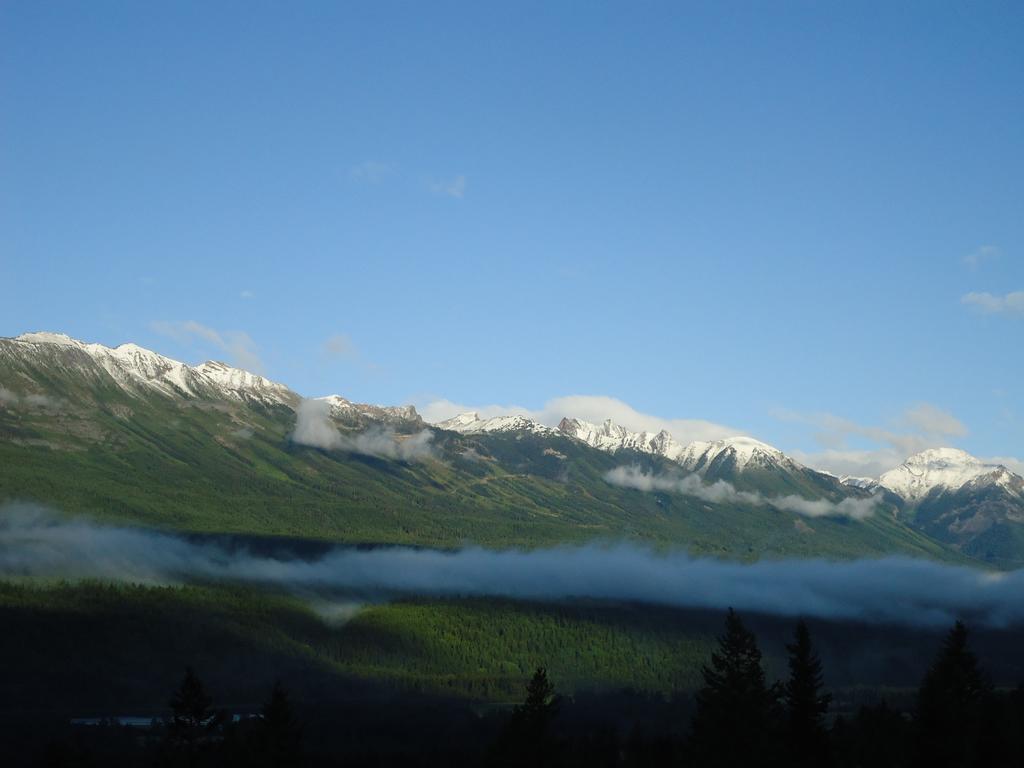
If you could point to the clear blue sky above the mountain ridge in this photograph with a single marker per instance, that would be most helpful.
(798, 221)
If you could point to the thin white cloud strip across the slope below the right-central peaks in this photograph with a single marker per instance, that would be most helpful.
(721, 492)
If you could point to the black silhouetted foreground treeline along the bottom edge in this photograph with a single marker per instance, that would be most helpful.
(737, 718)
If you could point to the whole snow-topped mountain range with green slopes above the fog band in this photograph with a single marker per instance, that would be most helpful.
(127, 435)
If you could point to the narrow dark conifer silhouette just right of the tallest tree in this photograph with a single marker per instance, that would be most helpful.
(806, 705)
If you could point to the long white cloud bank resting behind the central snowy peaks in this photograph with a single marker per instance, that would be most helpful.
(588, 408)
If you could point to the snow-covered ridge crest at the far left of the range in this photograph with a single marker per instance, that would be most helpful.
(139, 371)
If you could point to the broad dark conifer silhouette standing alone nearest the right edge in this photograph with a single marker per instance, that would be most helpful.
(952, 707)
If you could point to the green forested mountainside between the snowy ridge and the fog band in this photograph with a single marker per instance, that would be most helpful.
(72, 439)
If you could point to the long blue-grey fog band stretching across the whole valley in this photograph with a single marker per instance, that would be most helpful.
(900, 590)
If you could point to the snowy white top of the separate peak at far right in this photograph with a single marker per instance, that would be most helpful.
(946, 470)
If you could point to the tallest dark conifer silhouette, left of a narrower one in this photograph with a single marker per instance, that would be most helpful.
(737, 711)
